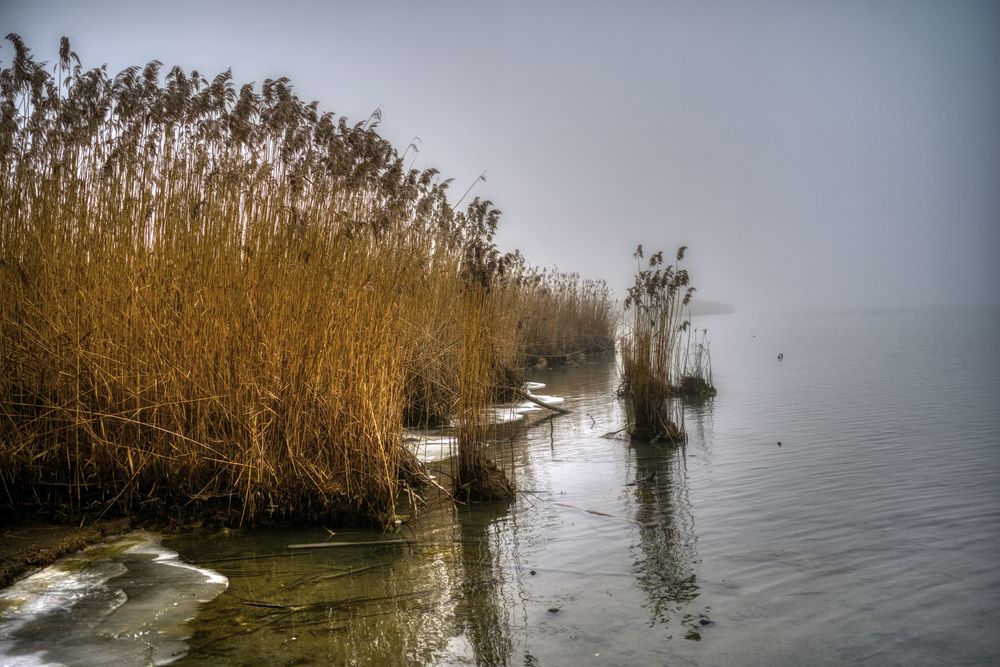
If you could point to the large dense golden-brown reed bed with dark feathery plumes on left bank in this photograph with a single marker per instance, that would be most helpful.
(219, 298)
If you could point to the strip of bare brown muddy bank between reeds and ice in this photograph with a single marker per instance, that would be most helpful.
(29, 546)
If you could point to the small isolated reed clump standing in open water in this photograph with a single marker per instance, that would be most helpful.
(660, 360)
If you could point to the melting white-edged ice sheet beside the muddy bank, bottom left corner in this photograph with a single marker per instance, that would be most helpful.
(124, 602)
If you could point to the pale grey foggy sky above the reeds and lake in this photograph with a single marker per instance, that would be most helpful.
(811, 155)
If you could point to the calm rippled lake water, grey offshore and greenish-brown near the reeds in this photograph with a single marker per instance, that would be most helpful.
(869, 536)
